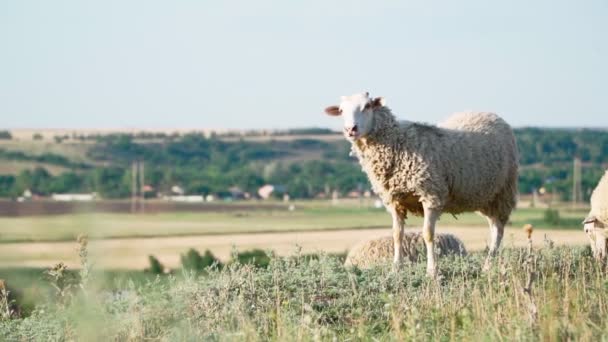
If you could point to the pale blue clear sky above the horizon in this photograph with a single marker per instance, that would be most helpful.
(277, 64)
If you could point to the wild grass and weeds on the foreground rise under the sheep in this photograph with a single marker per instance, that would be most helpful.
(304, 299)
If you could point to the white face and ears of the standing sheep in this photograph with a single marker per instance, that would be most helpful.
(358, 113)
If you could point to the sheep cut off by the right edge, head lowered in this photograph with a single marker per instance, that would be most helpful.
(597, 219)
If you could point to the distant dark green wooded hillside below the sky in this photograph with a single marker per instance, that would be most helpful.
(305, 167)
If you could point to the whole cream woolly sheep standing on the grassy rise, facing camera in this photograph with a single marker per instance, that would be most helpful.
(468, 163)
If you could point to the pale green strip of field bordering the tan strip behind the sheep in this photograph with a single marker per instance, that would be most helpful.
(306, 217)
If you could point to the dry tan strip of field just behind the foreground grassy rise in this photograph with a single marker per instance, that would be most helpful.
(133, 253)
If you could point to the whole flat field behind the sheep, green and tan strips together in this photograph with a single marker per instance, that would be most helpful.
(124, 241)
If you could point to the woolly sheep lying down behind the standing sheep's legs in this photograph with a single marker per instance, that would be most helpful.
(381, 250)
